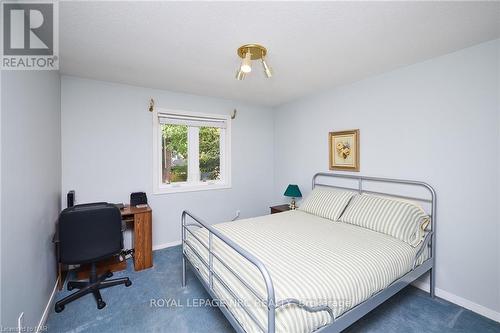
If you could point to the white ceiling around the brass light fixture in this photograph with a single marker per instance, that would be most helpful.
(191, 46)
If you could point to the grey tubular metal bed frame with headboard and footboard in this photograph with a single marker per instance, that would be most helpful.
(347, 318)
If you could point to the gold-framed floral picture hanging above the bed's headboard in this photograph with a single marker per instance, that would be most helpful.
(344, 150)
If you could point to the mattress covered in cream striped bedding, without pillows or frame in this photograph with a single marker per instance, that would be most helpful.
(309, 258)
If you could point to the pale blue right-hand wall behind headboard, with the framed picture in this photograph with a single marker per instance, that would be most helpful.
(436, 121)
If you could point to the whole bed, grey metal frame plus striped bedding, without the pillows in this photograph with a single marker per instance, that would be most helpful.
(299, 272)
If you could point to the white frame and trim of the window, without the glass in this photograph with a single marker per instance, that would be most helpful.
(193, 183)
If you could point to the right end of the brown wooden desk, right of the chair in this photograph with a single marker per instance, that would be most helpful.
(141, 221)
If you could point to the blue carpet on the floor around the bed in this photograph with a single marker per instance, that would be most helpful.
(130, 309)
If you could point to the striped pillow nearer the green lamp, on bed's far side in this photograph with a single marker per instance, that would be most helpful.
(327, 203)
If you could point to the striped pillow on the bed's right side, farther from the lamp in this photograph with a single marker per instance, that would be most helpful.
(400, 219)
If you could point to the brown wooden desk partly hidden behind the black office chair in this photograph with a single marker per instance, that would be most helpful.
(138, 219)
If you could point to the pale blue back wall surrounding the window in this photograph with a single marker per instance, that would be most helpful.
(107, 152)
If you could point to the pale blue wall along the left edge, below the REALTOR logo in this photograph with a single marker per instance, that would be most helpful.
(30, 193)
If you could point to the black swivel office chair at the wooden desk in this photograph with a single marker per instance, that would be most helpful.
(87, 234)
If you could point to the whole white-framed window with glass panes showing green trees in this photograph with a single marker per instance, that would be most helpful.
(191, 151)
